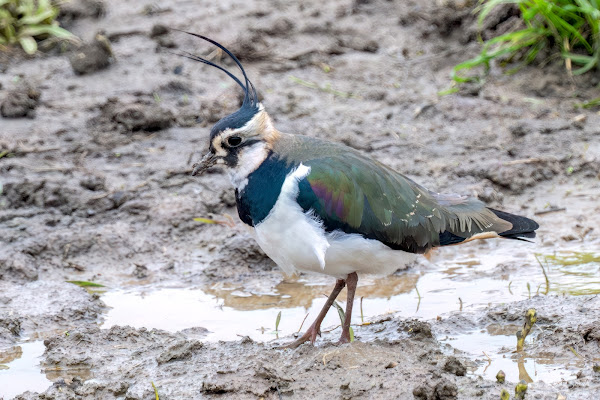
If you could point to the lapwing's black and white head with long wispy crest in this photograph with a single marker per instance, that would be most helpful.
(241, 140)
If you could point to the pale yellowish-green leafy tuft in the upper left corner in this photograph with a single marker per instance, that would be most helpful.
(23, 22)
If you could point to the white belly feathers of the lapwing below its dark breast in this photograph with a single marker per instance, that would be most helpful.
(296, 242)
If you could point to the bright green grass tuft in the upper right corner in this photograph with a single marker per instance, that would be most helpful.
(572, 27)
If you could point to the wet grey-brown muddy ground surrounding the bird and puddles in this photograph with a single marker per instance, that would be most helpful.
(96, 151)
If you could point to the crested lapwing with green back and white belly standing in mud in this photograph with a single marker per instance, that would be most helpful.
(323, 207)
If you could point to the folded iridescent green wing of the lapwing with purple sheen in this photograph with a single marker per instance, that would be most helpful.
(354, 194)
